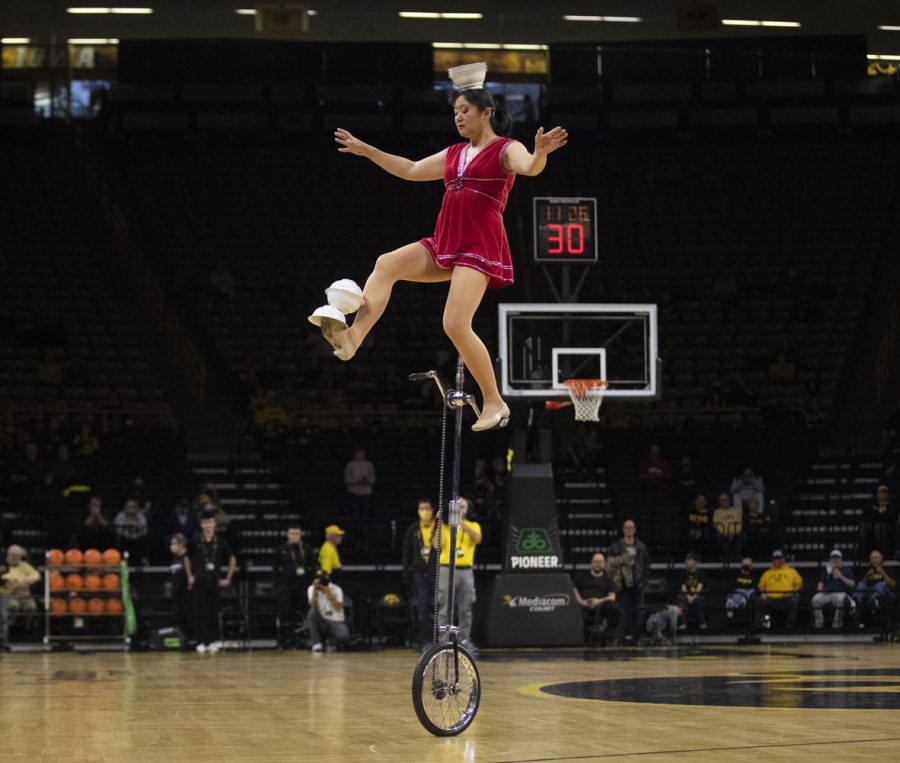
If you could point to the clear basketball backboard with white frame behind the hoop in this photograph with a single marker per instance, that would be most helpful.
(542, 345)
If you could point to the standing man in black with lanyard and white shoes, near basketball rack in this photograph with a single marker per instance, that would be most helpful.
(203, 568)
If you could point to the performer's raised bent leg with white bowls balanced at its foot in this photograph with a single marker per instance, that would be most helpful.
(408, 263)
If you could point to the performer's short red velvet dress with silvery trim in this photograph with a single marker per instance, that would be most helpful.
(469, 230)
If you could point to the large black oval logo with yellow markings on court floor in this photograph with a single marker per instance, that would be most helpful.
(863, 689)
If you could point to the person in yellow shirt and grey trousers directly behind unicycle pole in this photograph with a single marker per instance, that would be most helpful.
(467, 538)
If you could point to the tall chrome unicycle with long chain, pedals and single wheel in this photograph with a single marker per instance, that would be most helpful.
(446, 687)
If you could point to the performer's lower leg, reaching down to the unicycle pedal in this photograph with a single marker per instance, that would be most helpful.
(467, 288)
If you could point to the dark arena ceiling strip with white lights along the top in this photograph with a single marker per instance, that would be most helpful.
(502, 21)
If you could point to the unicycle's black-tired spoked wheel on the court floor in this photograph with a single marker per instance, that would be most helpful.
(446, 706)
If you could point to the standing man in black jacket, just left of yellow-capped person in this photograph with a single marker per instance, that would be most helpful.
(292, 573)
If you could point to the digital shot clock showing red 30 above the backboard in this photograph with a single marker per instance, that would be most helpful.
(565, 230)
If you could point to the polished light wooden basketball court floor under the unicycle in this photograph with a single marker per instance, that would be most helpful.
(799, 702)
